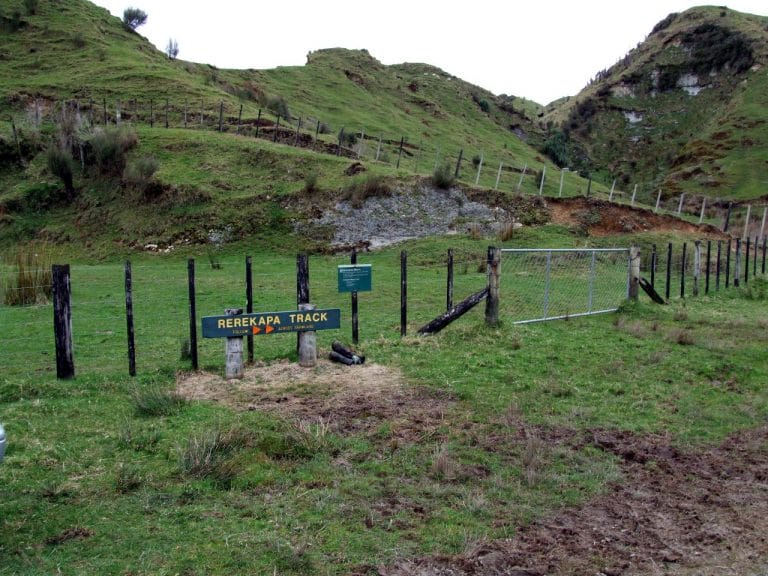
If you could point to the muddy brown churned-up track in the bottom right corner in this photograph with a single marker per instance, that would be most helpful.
(677, 513)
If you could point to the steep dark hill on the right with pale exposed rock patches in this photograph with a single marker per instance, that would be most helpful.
(686, 111)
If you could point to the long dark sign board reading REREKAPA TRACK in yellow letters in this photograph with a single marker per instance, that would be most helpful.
(263, 323)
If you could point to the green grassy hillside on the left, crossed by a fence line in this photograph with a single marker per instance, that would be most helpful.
(206, 179)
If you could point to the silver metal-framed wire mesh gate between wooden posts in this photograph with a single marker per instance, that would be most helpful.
(555, 283)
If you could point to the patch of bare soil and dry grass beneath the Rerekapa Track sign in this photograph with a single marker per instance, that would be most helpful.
(349, 398)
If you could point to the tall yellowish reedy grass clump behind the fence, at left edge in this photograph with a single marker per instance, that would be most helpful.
(30, 280)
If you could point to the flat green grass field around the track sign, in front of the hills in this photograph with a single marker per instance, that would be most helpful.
(101, 477)
